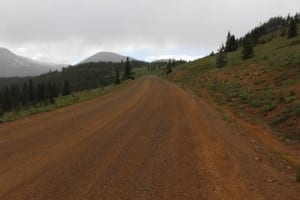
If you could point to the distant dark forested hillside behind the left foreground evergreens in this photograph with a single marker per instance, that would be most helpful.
(81, 77)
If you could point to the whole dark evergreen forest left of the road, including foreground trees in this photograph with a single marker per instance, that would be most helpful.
(42, 90)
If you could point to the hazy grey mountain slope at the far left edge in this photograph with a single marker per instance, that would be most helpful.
(12, 65)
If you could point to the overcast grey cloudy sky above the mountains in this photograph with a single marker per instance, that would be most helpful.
(66, 31)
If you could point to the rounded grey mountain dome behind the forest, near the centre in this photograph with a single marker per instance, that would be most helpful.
(106, 57)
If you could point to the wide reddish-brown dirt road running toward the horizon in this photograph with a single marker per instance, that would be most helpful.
(148, 140)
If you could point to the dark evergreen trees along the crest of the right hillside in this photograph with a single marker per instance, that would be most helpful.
(288, 27)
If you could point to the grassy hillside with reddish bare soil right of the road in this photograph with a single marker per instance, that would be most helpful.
(265, 88)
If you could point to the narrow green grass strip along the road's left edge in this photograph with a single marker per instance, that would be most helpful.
(61, 101)
